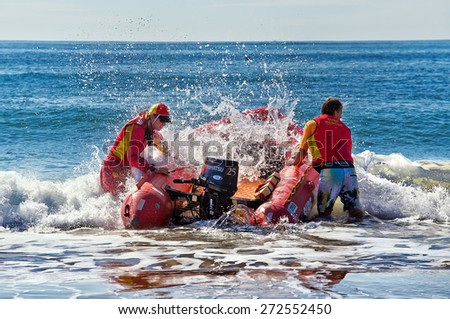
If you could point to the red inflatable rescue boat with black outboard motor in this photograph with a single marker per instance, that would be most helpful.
(185, 196)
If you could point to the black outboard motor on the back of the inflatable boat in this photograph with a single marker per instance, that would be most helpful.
(220, 178)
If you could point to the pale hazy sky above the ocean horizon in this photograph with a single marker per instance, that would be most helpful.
(224, 20)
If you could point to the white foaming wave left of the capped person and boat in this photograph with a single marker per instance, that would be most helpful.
(28, 202)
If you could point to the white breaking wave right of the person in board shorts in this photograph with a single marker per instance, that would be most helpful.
(390, 188)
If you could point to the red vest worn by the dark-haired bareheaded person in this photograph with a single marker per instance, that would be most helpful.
(331, 142)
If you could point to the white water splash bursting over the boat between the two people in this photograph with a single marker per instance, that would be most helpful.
(241, 139)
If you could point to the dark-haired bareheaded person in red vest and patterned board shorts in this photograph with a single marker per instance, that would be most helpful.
(329, 141)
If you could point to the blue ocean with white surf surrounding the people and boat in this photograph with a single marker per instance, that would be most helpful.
(62, 104)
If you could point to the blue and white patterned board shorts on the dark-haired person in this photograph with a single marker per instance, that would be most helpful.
(336, 182)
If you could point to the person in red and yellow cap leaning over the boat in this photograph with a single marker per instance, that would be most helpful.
(125, 158)
